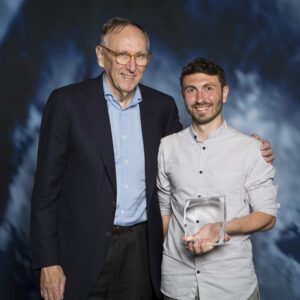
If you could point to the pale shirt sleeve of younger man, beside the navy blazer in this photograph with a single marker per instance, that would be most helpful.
(163, 185)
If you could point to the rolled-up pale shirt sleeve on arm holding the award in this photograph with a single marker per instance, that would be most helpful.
(259, 183)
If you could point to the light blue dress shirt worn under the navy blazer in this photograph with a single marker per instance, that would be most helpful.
(129, 158)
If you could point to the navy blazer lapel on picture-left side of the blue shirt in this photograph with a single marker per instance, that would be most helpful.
(99, 118)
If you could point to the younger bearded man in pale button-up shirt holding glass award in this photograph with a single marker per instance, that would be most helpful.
(204, 161)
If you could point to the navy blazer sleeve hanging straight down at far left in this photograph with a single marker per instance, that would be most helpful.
(52, 153)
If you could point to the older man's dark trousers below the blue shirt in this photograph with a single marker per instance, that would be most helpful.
(125, 274)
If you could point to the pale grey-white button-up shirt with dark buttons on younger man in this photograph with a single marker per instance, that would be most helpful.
(227, 163)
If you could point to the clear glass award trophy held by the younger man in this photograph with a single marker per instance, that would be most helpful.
(203, 210)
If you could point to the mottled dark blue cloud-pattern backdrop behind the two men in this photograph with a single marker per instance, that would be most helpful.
(48, 44)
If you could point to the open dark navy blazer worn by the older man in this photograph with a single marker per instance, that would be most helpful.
(74, 196)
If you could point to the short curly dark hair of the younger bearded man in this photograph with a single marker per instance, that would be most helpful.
(202, 65)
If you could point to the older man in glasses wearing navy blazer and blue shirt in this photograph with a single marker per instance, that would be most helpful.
(96, 229)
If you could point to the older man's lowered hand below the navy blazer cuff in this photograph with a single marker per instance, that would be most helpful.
(52, 283)
